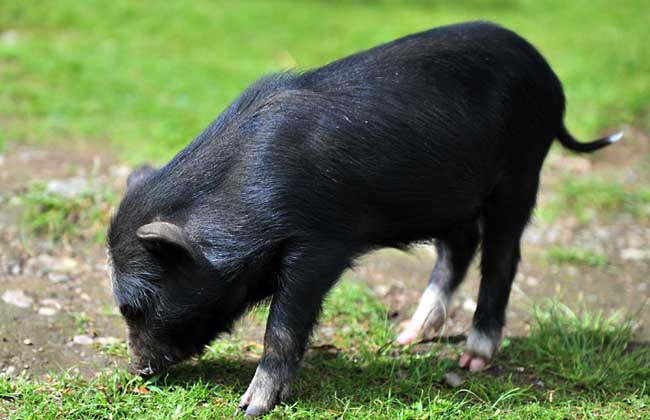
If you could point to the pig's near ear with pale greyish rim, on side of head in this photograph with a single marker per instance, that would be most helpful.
(167, 240)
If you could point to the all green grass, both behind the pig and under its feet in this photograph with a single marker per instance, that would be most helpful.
(143, 80)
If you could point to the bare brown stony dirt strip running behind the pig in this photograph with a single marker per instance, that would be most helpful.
(57, 311)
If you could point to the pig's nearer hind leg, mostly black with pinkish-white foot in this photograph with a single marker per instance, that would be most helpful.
(505, 216)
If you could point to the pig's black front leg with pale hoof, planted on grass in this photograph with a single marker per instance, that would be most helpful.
(303, 283)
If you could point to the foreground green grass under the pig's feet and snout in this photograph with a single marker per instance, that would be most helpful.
(571, 366)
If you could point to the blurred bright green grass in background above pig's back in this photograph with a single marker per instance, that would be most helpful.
(147, 78)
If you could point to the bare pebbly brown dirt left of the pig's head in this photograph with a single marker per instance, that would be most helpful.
(66, 312)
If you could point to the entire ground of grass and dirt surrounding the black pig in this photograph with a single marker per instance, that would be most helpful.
(88, 92)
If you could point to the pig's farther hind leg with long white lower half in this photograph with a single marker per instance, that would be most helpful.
(455, 253)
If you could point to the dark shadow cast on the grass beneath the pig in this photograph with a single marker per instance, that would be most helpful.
(518, 375)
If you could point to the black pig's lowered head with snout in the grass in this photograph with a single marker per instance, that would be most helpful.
(174, 301)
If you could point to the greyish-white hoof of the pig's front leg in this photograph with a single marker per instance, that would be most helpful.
(263, 393)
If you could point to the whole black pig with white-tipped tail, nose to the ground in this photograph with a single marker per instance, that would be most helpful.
(438, 135)
